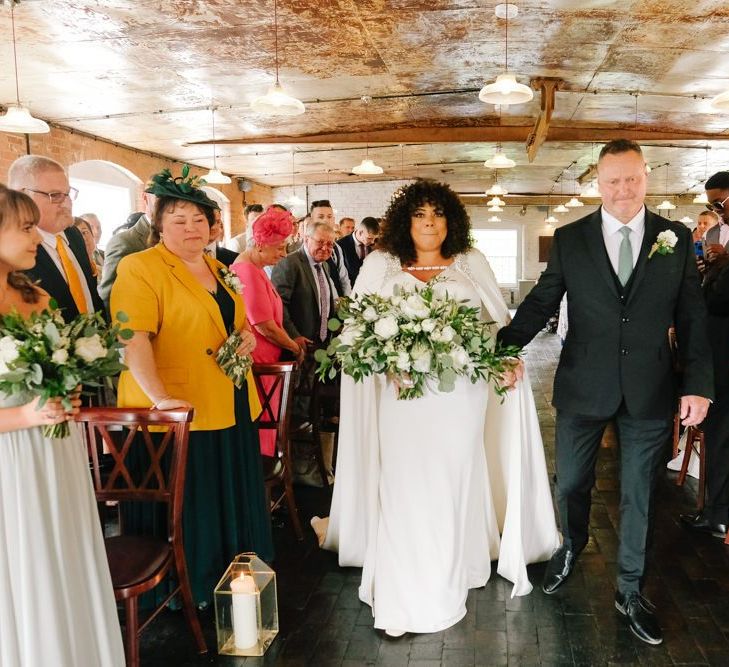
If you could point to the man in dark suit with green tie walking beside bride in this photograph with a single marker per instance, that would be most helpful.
(626, 285)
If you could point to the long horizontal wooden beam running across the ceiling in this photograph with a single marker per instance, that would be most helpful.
(508, 134)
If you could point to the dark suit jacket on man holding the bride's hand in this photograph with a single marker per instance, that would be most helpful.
(617, 345)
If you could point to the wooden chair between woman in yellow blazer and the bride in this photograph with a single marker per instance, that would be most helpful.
(274, 382)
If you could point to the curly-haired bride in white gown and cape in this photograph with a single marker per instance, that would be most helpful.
(429, 491)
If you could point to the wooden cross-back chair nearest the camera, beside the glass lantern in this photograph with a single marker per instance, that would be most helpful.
(139, 563)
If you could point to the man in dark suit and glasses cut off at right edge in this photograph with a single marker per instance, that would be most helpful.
(714, 518)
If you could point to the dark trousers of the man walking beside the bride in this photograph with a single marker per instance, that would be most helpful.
(642, 445)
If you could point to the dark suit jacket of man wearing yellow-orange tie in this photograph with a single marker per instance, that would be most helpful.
(52, 281)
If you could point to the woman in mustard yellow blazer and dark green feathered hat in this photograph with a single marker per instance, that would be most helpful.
(182, 305)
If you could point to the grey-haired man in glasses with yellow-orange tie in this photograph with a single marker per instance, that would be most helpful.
(62, 266)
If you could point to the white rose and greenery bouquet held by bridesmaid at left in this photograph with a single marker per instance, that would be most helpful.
(44, 356)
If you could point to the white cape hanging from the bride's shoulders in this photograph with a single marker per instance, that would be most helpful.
(517, 474)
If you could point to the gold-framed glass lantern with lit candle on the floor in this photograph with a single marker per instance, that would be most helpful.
(246, 607)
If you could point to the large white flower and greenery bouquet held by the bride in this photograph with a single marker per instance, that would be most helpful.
(414, 336)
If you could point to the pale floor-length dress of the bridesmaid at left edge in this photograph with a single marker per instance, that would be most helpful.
(56, 599)
